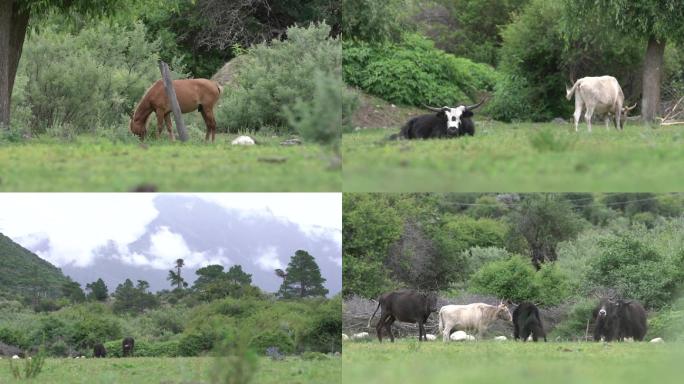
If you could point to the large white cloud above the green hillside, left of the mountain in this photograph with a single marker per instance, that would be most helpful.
(75, 223)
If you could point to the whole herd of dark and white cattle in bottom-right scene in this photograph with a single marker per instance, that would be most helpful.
(614, 320)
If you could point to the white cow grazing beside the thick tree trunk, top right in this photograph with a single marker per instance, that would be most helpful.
(601, 95)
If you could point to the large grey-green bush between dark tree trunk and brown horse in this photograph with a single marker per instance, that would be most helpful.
(77, 83)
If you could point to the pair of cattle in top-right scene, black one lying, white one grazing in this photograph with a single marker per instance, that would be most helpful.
(601, 95)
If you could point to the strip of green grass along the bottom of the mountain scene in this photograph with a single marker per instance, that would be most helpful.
(179, 370)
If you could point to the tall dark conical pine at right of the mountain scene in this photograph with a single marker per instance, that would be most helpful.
(302, 278)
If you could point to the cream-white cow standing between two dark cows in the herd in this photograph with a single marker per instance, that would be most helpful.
(477, 317)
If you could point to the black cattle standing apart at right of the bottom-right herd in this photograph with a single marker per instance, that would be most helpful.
(618, 319)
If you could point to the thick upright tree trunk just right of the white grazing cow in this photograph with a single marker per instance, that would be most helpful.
(653, 71)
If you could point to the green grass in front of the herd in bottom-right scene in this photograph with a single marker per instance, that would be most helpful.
(509, 362)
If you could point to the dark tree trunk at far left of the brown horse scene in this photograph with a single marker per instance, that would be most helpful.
(13, 24)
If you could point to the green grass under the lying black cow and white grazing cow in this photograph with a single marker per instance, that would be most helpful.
(518, 157)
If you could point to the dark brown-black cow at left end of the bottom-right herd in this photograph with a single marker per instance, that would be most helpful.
(407, 306)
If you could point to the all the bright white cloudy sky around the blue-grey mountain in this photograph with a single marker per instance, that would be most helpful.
(78, 224)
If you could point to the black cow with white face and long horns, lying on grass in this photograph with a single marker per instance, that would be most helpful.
(446, 122)
